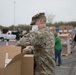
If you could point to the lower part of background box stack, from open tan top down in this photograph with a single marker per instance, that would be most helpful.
(66, 44)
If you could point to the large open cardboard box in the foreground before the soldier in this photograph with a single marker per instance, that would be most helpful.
(19, 65)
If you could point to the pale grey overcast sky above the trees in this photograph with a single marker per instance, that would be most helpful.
(64, 10)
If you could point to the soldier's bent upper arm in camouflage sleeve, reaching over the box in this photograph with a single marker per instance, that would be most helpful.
(30, 39)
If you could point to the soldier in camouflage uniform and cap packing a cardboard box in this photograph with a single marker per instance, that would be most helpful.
(42, 42)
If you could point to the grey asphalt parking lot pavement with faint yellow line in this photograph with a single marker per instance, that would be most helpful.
(68, 66)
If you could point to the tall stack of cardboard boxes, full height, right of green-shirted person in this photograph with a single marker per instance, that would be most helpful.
(66, 35)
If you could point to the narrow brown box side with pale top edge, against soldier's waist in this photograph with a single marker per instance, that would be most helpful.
(27, 65)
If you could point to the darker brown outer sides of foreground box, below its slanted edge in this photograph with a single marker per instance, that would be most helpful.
(23, 66)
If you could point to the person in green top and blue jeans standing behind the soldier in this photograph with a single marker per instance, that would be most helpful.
(58, 49)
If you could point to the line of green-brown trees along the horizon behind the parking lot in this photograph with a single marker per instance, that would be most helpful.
(28, 27)
